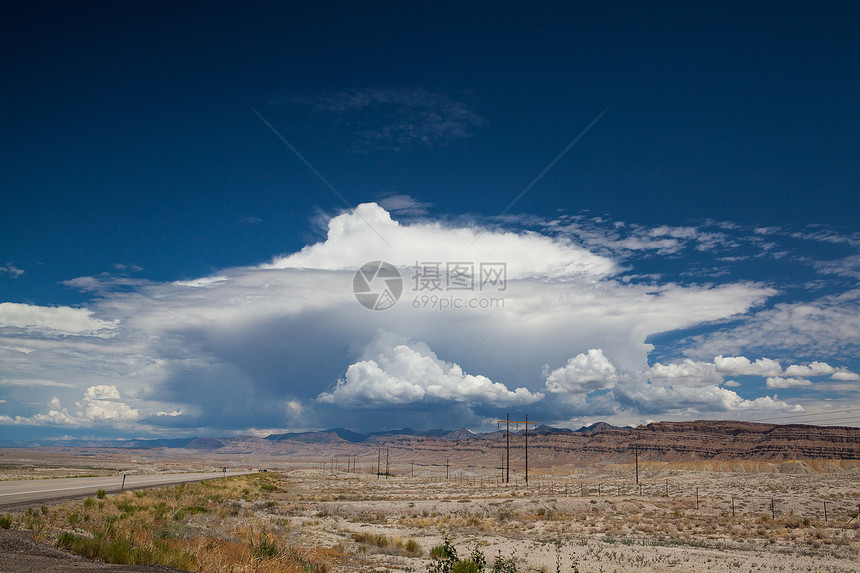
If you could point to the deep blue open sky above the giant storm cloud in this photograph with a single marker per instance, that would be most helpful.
(131, 152)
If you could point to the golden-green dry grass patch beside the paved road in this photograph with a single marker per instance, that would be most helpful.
(188, 526)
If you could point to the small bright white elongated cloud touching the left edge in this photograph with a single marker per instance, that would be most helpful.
(61, 319)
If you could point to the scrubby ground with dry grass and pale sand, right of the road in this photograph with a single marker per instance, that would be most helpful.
(310, 521)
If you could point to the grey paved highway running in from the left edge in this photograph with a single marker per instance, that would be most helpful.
(19, 492)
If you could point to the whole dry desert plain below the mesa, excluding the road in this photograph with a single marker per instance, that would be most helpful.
(324, 511)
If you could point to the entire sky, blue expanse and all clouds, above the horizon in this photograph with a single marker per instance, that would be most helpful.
(187, 195)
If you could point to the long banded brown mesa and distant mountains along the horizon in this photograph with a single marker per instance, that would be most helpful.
(600, 442)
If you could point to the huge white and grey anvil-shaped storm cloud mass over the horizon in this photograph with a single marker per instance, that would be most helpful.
(287, 345)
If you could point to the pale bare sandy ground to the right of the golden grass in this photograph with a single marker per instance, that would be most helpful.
(686, 517)
